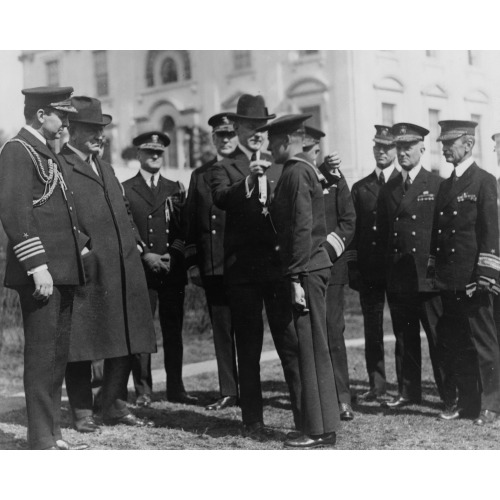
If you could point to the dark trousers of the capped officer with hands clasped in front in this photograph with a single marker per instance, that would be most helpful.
(170, 300)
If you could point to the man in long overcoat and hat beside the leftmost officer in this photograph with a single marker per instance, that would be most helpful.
(111, 315)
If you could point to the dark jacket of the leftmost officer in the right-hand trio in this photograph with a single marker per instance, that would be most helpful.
(369, 254)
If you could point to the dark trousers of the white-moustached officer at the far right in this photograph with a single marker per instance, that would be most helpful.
(471, 357)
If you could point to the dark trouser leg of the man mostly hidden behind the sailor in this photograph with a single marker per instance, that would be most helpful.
(335, 325)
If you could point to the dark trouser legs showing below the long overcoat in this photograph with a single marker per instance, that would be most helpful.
(114, 387)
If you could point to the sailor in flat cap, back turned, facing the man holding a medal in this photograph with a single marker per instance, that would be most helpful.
(298, 213)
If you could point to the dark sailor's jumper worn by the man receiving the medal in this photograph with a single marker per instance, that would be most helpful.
(298, 212)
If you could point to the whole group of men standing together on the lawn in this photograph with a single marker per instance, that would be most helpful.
(255, 230)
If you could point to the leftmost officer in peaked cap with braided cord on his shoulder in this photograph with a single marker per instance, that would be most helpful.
(43, 255)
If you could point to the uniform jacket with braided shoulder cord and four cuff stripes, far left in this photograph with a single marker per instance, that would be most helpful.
(45, 234)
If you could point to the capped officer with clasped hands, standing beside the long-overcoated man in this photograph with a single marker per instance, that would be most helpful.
(156, 205)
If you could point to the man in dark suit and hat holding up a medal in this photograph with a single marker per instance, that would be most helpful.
(242, 185)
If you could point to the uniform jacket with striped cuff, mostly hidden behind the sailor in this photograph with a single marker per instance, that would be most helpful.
(340, 226)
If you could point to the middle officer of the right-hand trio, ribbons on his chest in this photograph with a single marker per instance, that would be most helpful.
(404, 225)
